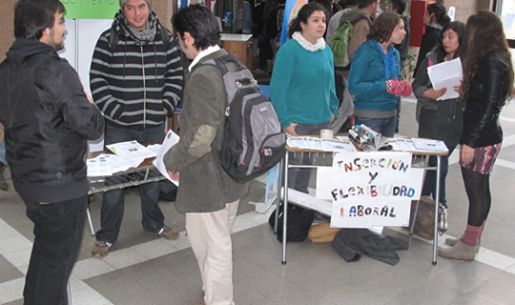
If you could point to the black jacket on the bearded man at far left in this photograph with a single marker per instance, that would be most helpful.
(48, 121)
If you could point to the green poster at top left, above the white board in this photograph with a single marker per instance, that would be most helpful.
(91, 9)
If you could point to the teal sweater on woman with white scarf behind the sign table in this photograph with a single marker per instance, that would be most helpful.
(302, 86)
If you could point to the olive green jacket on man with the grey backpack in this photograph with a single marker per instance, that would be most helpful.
(204, 185)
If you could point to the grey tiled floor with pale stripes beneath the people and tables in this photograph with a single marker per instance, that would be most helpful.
(143, 270)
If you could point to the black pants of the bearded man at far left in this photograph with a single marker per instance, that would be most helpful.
(58, 230)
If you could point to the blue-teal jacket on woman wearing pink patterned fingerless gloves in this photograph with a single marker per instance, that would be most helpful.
(367, 79)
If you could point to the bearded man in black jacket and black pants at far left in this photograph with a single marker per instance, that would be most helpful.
(48, 120)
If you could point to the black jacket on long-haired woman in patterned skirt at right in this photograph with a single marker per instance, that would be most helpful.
(488, 92)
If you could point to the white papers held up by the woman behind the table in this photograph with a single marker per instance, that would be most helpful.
(447, 74)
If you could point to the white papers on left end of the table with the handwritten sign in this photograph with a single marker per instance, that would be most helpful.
(314, 143)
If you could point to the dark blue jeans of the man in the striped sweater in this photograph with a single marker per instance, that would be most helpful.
(111, 214)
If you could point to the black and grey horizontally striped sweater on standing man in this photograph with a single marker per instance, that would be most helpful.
(134, 82)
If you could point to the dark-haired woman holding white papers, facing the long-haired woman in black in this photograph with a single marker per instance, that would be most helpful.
(439, 119)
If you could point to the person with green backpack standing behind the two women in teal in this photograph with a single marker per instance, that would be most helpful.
(346, 31)
